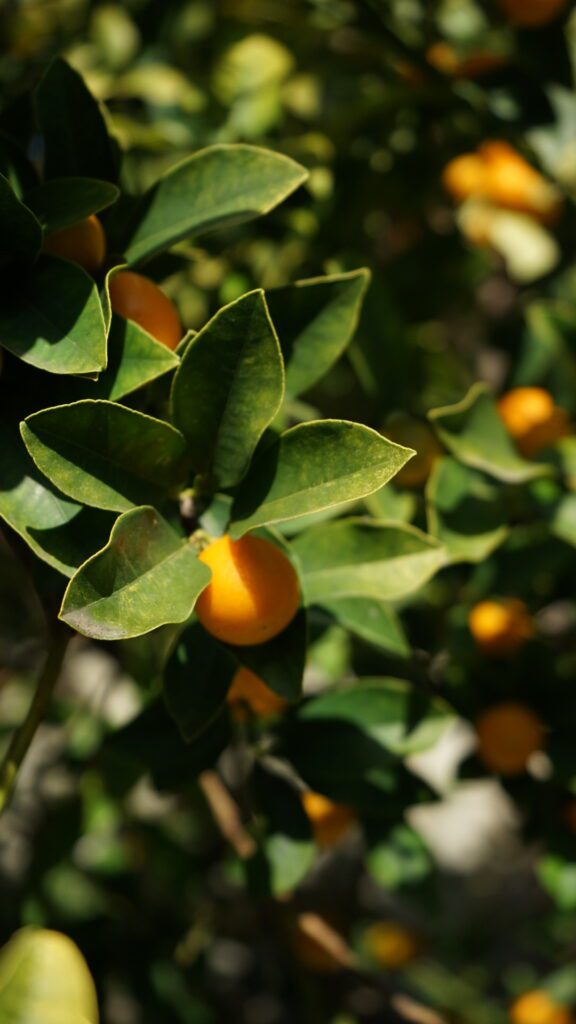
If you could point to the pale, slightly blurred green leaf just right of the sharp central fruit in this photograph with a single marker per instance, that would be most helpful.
(363, 559)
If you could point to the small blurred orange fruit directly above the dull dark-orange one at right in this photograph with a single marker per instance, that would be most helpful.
(501, 627)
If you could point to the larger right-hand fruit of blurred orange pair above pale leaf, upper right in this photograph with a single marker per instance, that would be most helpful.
(512, 183)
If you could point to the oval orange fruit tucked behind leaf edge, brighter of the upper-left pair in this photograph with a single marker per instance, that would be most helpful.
(140, 300)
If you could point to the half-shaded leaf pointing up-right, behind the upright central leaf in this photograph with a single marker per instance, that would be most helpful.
(316, 320)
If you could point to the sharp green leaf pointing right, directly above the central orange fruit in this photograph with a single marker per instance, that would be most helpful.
(312, 467)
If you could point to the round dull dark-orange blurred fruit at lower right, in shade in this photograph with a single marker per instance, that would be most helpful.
(508, 735)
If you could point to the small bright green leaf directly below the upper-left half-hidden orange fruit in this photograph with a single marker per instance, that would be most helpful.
(135, 359)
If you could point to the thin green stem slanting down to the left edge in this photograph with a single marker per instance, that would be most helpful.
(25, 734)
